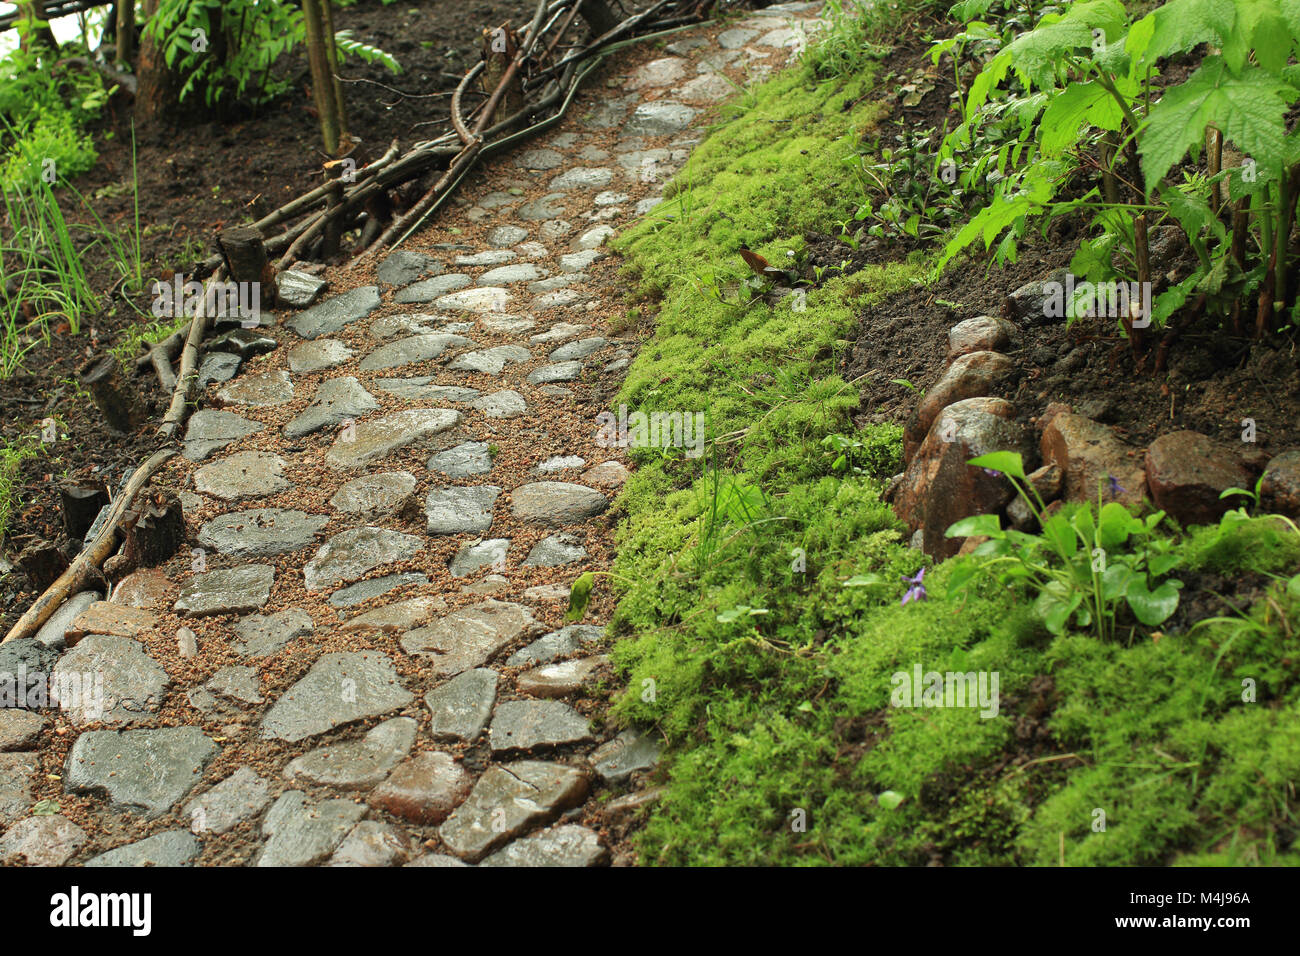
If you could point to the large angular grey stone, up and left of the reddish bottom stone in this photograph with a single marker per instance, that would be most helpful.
(340, 689)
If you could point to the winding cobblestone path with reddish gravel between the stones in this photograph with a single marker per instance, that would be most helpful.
(363, 660)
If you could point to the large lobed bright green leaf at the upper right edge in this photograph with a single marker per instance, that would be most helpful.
(1247, 109)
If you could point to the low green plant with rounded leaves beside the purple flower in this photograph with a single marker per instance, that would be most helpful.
(1084, 564)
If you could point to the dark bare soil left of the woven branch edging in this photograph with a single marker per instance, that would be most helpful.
(197, 178)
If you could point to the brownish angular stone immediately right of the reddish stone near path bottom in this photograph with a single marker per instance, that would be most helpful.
(508, 802)
